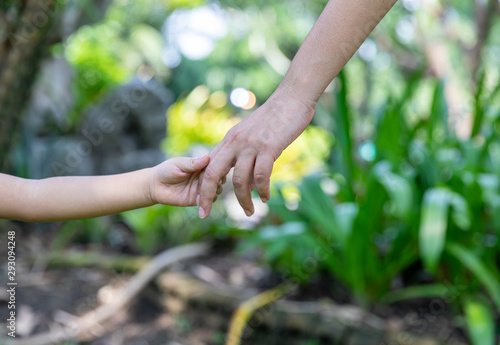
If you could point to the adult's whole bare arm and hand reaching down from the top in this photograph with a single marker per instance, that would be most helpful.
(253, 145)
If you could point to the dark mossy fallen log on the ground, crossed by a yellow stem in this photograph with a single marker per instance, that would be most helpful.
(343, 324)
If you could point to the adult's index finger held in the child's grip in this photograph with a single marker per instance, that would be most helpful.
(218, 168)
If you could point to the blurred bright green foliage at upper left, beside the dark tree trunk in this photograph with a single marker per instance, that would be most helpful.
(109, 53)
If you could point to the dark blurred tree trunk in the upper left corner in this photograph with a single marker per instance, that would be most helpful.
(23, 43)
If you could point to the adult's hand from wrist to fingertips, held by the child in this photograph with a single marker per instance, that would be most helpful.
(252, 147)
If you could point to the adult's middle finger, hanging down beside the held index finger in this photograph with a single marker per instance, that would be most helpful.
(242, 177)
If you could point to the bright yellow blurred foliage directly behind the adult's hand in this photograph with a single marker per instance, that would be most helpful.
(203, 119)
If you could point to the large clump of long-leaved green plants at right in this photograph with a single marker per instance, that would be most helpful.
(423, 196)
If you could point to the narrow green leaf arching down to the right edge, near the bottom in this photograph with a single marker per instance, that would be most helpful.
(476, 266)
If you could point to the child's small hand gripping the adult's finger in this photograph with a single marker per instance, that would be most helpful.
(175, 181)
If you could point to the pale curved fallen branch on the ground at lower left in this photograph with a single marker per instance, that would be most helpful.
(94, 319)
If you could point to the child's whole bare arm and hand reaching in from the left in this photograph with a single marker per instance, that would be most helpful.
(174, 182)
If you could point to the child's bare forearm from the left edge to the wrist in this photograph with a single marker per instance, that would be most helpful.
(66, 198)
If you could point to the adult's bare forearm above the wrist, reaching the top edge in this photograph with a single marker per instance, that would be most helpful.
(338, 33)
